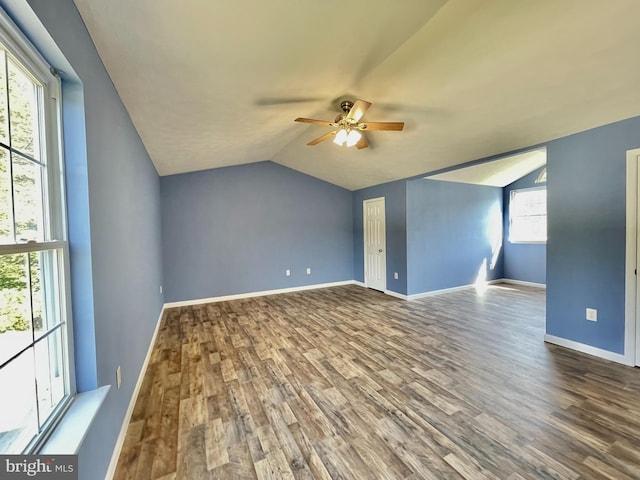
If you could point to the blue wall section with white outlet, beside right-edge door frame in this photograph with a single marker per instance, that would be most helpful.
(586, 201)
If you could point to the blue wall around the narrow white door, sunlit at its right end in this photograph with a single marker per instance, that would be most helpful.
(438, 233)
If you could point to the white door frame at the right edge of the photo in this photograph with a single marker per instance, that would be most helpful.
(632, 302)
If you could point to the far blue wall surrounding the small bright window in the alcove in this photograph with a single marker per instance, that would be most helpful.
(523, 261)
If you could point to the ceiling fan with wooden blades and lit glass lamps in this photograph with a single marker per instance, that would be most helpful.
(349, 126)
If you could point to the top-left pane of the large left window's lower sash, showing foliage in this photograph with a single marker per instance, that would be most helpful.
(15, 306)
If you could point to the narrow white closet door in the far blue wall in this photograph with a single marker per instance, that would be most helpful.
(375, 257)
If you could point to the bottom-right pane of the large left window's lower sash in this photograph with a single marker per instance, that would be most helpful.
(49, 374)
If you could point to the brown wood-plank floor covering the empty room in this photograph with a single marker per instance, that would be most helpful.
(349, 383)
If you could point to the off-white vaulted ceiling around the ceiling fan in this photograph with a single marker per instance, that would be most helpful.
(211, 84)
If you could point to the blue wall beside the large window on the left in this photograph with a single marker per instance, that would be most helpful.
(114, 223)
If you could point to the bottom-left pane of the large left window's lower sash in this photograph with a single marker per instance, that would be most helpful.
(19, 418)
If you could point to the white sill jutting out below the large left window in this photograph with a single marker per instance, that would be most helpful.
(68, 435)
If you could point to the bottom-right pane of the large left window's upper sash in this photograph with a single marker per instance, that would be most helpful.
(27, 187)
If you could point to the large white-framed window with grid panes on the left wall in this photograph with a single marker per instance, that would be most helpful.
(34, 323)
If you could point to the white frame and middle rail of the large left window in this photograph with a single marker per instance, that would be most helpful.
(20, 50)
